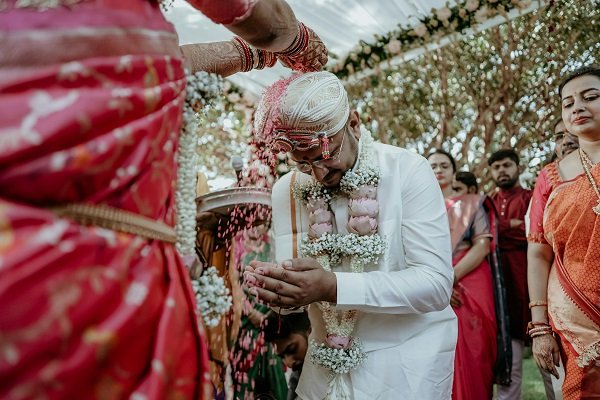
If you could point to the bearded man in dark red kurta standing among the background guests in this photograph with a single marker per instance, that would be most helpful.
(511, 201)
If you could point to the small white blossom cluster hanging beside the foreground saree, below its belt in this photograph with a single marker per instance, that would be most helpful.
(212, 296)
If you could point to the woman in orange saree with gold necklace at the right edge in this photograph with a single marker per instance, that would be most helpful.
(564, 247)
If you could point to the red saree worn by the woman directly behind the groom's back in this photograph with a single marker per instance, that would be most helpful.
(476, 348)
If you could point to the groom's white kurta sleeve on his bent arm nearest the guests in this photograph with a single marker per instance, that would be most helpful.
(426, 282)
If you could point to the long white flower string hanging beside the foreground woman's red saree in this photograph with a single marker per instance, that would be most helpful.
(201, 89)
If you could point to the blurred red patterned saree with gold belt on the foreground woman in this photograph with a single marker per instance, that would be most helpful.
(91, 97)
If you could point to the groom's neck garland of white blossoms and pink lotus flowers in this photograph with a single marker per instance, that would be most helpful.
(341, 353)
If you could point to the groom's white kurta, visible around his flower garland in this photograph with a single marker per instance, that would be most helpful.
(405, 322)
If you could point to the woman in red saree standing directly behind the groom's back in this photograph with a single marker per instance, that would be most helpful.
(472, 232)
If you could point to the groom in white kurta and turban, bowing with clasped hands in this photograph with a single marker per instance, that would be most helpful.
(373, 215)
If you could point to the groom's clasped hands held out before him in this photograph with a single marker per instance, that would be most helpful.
(293, 283)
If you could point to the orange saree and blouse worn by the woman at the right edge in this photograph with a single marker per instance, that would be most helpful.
(562, 217)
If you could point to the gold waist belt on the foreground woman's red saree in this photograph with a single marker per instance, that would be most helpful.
(117, 220)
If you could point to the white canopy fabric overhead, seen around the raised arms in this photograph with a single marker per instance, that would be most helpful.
(341, 24)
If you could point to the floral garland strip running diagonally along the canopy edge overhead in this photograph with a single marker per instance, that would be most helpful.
(441, 22)
